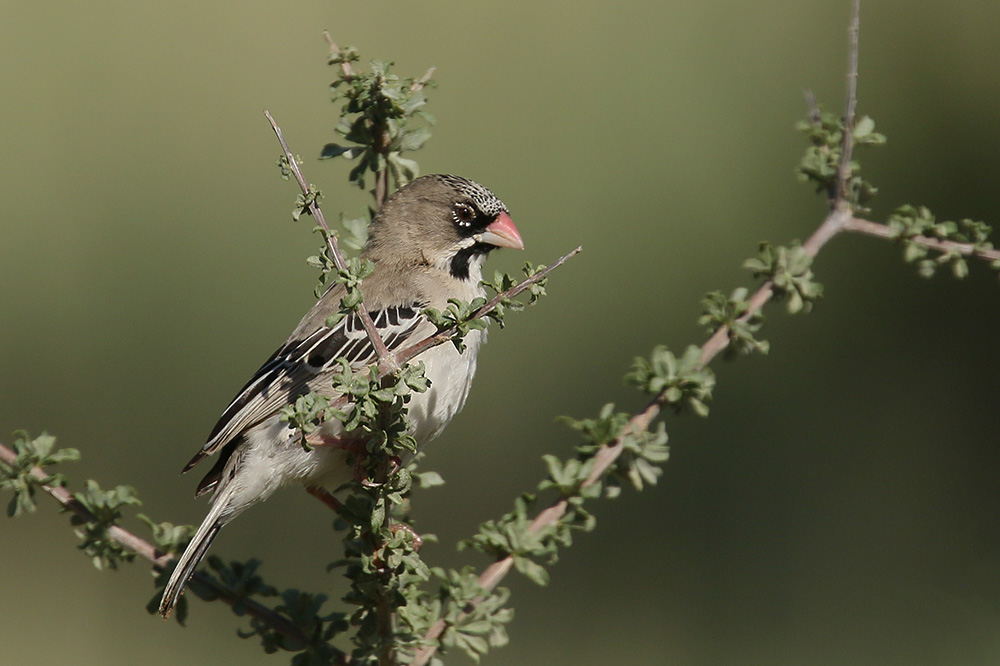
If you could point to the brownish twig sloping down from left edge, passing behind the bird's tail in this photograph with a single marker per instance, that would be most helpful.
(156, 557)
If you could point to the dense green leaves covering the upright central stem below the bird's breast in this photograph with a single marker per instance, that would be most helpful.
(381, 558)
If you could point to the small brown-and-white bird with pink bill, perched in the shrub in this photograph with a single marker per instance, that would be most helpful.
(428, 243)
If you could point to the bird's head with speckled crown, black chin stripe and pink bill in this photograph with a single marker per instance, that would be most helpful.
(444, 221)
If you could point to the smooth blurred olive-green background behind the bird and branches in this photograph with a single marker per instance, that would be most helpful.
(840, 505)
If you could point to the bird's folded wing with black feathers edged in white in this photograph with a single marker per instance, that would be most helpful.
(294, 368)
